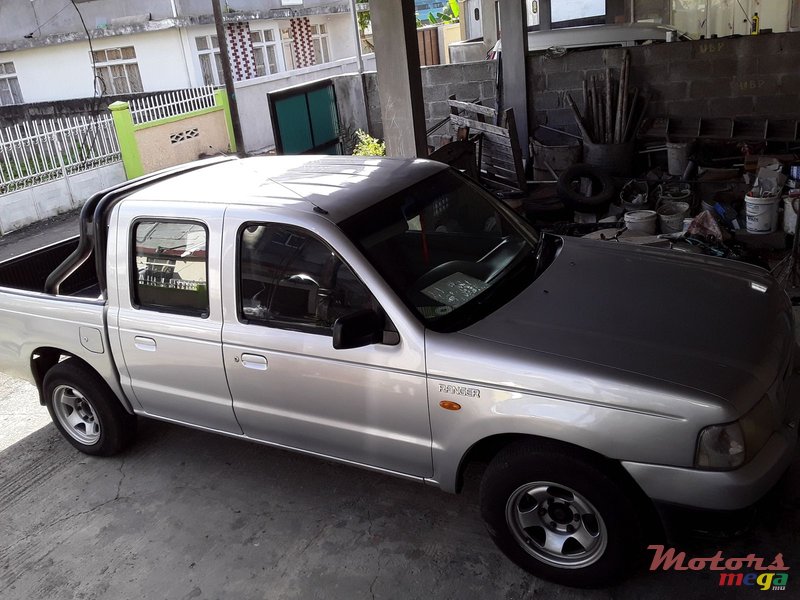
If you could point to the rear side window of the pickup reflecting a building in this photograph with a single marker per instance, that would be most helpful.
(170, 271)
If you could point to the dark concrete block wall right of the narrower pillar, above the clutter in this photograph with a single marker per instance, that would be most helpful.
(749, 76)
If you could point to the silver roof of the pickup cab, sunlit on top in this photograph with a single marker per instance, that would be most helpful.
(341, 185)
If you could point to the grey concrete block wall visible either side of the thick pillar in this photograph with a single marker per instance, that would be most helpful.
(467, 81)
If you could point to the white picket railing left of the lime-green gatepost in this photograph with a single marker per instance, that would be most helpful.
(34, 152)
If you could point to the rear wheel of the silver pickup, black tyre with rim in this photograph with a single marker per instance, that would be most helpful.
(86, 411)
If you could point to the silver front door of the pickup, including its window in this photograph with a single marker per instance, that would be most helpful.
(290, 386)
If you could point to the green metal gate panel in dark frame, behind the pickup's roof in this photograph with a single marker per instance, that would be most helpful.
(305, 119)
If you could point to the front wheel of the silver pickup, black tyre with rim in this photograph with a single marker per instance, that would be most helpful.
(523, 517)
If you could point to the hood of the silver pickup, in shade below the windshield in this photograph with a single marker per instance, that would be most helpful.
(710, 325)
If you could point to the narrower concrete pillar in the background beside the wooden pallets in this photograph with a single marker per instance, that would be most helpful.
(514, 25)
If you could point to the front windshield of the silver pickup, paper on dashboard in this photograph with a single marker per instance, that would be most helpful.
(451, 251)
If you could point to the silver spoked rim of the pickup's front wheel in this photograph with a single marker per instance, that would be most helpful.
(556, 525)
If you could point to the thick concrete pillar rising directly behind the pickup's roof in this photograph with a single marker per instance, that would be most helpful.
(399, 78)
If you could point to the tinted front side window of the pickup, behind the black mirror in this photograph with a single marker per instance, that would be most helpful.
(289, 278)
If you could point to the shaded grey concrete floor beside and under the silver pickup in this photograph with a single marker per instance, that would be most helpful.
(186, 514)
